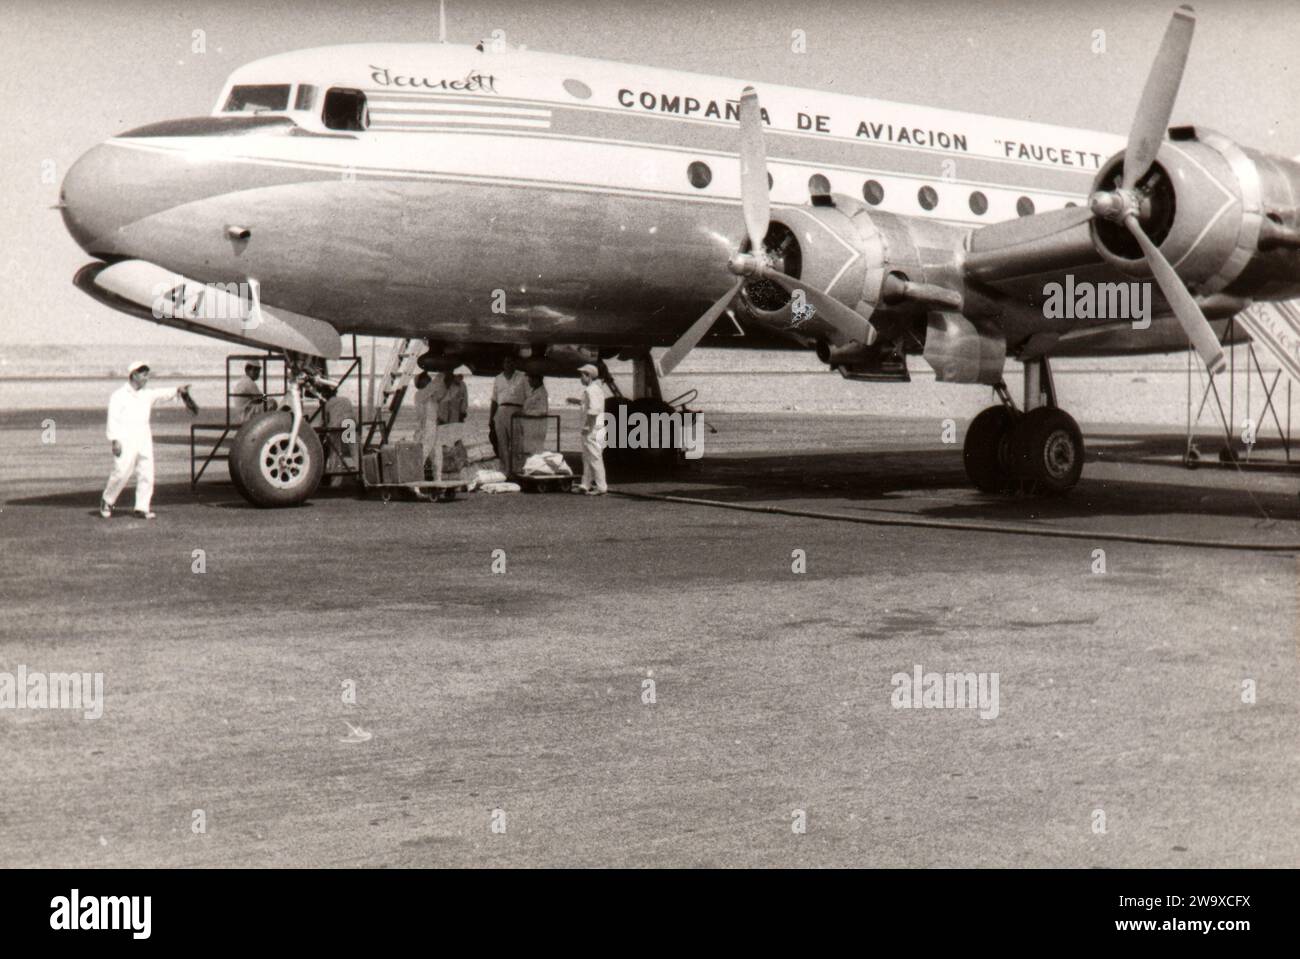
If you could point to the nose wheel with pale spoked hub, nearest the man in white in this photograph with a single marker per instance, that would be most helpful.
(270, 475)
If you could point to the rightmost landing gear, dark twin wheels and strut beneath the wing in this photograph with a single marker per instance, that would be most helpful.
(1039, 450)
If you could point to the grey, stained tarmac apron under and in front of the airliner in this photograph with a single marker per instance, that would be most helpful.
(517, 700)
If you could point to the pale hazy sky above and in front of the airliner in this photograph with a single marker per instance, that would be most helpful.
(76, 73)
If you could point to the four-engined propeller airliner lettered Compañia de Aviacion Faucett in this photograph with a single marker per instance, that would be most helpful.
(504, 202)
